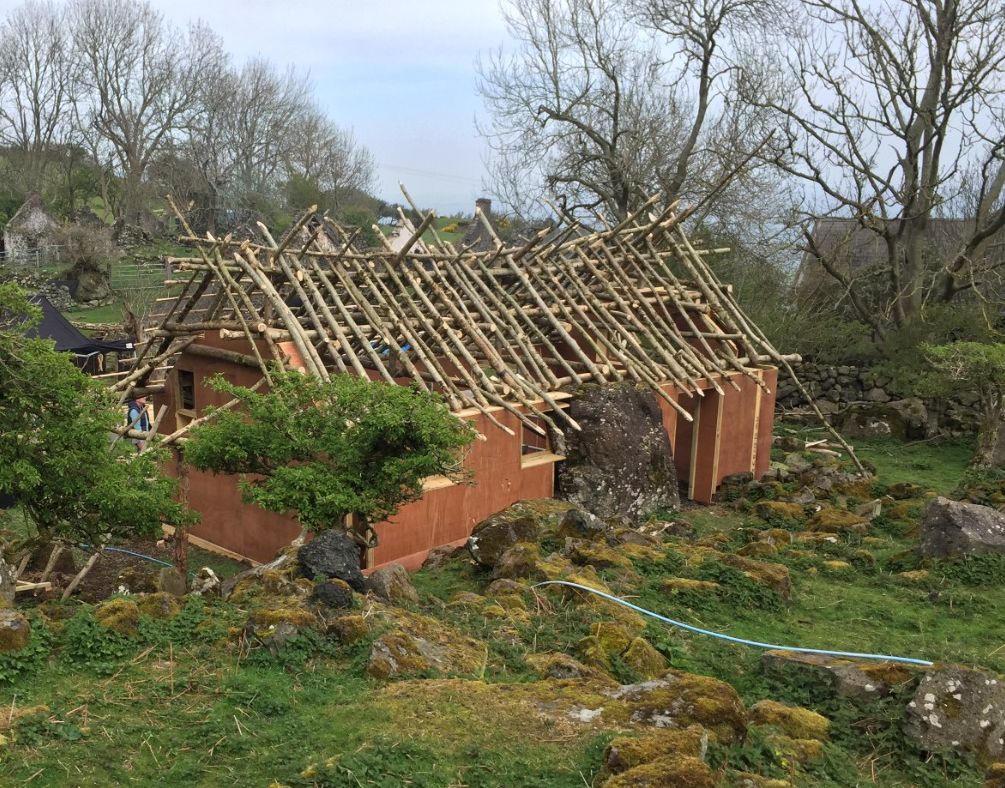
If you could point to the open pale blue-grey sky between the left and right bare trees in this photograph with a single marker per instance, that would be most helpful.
(399, 73)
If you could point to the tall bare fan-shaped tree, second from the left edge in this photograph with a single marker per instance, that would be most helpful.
(143, 79)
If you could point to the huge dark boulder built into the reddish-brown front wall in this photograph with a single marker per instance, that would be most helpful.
(621, 463)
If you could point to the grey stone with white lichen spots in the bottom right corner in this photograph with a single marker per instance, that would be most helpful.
(958, 709)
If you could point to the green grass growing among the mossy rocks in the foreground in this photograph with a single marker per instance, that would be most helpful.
(185, 705)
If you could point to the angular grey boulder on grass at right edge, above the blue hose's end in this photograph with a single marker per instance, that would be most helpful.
(951, 527)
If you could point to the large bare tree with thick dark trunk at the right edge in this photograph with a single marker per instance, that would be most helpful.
(893, 116)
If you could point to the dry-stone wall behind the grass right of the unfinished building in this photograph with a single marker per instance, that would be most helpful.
(863, 403)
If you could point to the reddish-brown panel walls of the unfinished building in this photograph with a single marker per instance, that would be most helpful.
(720, 443)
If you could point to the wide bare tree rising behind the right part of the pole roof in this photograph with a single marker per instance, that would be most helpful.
(606, 103)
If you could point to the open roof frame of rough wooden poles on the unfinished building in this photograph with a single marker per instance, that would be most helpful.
(510, 328)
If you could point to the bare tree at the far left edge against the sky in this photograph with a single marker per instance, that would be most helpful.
(36, 87)
